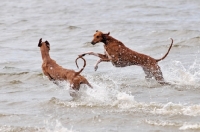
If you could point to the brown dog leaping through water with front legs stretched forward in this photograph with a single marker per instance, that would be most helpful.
(121, 56)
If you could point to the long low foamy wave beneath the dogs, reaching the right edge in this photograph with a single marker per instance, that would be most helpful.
(126, 103)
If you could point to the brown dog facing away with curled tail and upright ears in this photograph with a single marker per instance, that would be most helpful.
(57, 73)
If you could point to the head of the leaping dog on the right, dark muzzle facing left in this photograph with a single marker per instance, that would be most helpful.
(99, 37)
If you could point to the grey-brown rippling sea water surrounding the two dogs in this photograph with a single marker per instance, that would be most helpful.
(121, 99)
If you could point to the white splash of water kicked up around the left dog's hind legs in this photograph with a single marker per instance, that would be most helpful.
(104, 93)
